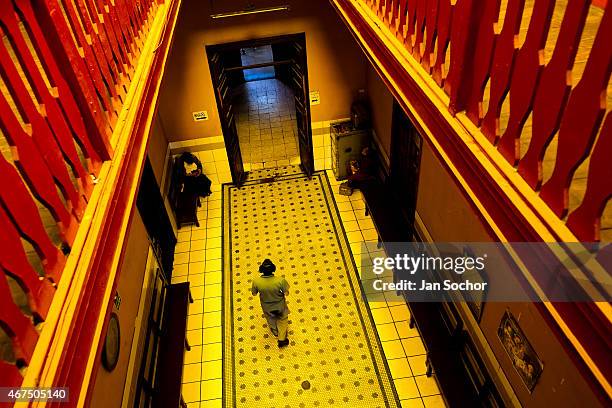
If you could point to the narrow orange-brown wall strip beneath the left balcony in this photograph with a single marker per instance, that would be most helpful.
(108, 388)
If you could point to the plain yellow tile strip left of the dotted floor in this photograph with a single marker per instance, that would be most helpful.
(197, 260)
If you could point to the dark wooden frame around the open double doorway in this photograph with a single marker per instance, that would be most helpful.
(257, 42)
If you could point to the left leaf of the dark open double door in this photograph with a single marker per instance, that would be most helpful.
(223, 95)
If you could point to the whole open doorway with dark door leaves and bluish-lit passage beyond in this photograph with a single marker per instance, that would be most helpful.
(263, 103)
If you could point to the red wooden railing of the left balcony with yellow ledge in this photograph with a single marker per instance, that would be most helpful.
(67, 69)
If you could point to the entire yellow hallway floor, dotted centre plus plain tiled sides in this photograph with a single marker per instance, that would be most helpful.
(347, 357)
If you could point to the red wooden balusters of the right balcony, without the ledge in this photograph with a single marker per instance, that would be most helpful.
(532, 76)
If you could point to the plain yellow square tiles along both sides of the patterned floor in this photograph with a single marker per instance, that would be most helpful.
(198, 260)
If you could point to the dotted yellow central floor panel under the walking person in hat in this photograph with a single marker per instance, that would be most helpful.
(332, 345)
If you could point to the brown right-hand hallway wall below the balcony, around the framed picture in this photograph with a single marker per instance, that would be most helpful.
(450, 217)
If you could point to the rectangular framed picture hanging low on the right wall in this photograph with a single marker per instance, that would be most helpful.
(524, 358)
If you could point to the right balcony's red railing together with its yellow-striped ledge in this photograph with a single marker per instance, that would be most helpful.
(513, 96)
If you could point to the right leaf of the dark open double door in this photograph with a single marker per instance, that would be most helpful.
(299, 81)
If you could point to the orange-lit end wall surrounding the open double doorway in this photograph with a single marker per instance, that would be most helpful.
(336, 66)
